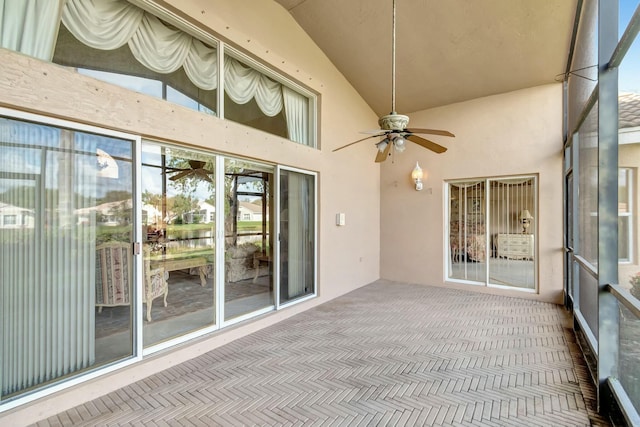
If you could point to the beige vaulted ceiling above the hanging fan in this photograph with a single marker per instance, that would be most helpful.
(447, 51)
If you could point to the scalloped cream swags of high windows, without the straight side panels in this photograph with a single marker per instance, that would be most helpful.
(109, 24)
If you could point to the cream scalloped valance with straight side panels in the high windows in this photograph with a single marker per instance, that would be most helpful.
(31, 26)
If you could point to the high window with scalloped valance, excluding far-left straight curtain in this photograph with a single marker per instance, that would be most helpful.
(181, 68)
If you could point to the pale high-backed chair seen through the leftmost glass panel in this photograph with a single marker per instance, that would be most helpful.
(113, 274)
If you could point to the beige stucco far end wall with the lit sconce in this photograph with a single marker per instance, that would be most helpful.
(509, 134)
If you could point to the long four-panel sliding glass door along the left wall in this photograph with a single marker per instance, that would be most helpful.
(106, 239)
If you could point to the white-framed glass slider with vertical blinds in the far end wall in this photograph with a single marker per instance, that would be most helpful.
(492, 232)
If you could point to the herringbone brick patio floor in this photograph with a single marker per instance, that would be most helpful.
(388, 354)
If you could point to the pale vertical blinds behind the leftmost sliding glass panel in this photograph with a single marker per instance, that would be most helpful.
(47, 281)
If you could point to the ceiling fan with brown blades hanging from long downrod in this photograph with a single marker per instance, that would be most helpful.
(393, 126)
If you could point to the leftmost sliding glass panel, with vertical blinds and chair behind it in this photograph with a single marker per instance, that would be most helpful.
(66, 239)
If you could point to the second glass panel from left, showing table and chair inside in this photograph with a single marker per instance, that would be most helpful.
(179, 231)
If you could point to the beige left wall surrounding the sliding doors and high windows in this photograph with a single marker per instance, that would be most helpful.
(348, 180)
